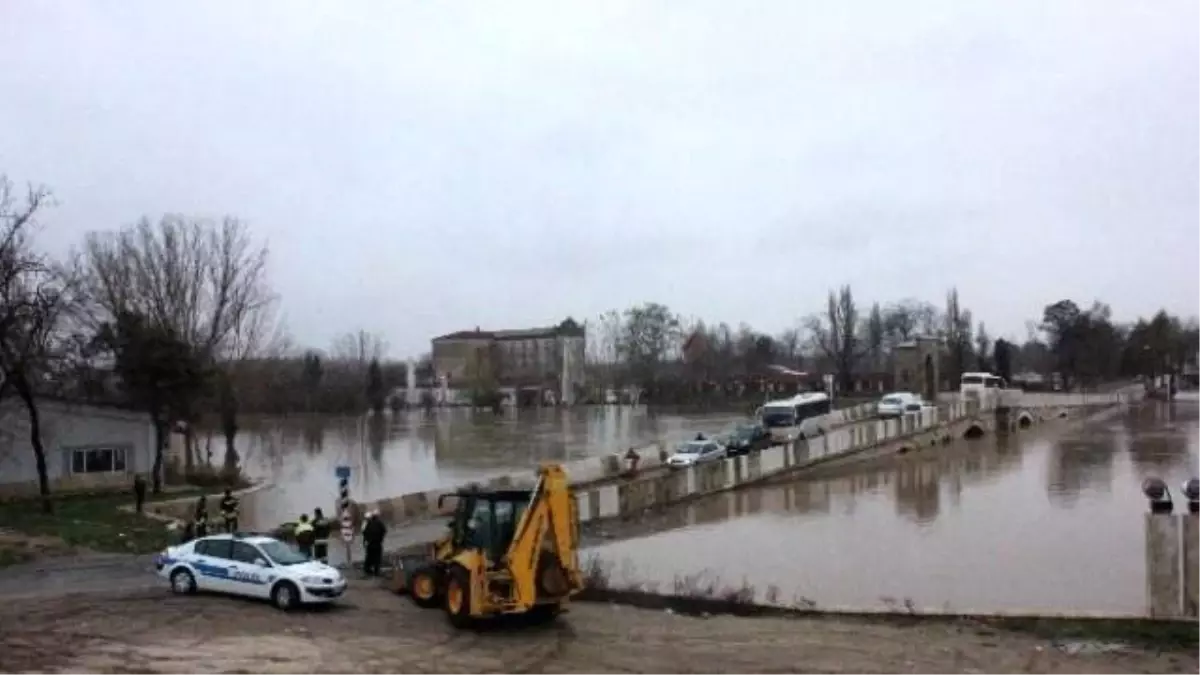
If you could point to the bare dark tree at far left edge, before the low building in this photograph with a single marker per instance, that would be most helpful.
(37, 300)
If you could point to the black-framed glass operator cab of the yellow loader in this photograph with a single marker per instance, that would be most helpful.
(488, 521)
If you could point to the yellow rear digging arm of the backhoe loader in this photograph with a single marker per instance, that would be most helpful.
(551, 511)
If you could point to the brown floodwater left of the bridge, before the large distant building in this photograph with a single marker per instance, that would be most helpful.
(415, 451)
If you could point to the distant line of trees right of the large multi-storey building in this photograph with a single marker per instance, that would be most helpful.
(657, 350)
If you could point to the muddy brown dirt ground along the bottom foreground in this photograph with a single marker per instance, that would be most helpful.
(373, 631)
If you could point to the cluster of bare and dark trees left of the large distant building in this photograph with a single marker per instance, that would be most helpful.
(175, 318)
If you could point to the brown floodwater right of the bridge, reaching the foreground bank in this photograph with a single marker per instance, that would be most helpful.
(1051, 521)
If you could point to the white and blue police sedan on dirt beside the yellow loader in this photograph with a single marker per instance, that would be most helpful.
(250, 565)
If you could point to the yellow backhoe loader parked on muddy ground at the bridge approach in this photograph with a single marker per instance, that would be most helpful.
(508, 552)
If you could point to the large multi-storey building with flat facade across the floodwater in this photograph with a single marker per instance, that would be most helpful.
(525, 359)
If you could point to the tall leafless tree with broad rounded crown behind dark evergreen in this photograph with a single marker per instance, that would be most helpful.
(202, 283)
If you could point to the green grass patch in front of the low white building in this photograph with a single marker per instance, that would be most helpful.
(82, 522)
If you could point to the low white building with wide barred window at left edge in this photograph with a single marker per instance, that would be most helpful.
(87, 447)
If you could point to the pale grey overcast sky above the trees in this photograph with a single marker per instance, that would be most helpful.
(423, 168)
